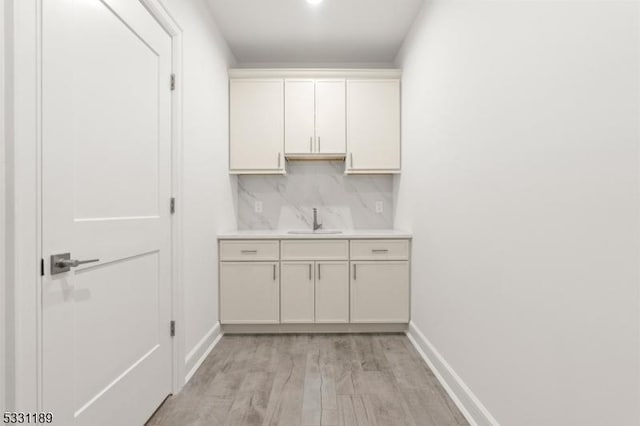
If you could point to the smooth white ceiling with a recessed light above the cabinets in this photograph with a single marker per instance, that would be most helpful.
(334, 31)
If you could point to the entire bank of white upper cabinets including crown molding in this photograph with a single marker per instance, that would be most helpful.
(314, 114)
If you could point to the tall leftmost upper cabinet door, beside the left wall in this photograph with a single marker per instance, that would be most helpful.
(256, 110)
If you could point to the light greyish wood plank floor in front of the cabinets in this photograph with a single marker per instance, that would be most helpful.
(294, 380)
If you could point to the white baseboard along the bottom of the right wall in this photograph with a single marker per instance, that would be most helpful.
(470, 406)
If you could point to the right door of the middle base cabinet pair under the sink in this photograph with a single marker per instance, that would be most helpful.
(332, 292)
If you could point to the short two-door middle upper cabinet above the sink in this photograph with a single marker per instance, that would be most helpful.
(314, 116)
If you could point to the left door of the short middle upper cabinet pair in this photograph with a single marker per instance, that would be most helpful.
(299, 117)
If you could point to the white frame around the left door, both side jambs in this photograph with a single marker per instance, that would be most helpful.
(24, 201)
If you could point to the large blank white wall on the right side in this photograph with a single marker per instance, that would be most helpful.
(520, 182)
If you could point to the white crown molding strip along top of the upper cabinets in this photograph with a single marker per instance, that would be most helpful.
(318, 73)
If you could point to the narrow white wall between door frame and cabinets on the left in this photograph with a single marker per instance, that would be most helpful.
(208, 199)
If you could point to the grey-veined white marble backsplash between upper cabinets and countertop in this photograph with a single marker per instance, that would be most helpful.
(343, 202)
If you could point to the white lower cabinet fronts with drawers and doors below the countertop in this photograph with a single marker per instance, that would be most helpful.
(314, 281)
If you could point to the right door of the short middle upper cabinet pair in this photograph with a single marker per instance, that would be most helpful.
(330, 117)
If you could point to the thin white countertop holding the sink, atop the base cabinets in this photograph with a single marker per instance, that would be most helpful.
(280, 234)
